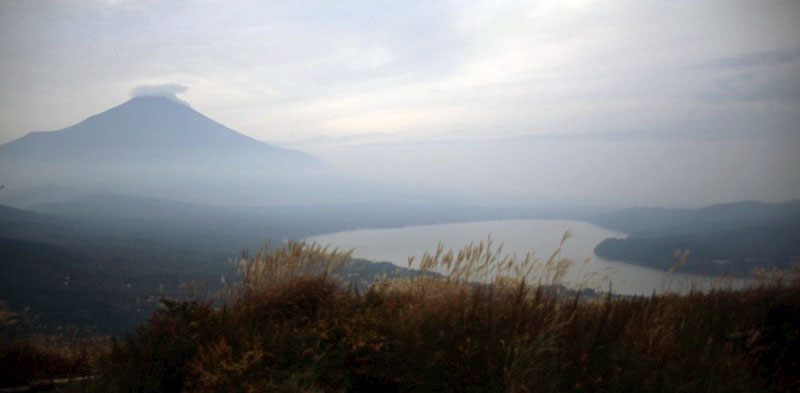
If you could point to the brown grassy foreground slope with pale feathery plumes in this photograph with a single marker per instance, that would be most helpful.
(290, 326)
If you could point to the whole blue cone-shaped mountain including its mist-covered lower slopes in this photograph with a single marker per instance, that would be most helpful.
(158, 147)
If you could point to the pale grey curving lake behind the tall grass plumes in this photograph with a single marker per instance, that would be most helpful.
(519, 237)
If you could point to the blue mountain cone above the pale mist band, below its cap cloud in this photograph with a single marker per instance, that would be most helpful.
(152, 128)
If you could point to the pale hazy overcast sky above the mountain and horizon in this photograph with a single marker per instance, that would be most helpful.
(631, 102)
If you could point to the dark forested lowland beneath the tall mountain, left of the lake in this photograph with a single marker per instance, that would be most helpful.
(103, 261)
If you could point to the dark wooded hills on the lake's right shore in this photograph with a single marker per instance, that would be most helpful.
(721, 239)
